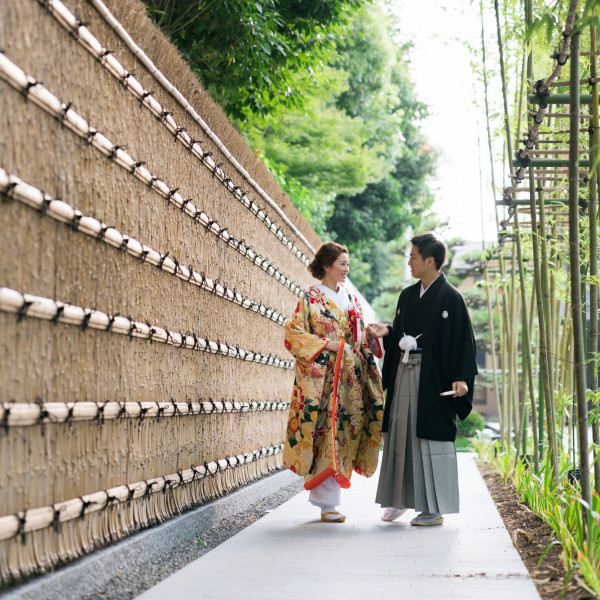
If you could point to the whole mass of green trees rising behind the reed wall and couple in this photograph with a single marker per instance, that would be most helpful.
(322, 92)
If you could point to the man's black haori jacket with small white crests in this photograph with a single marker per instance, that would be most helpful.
(448, 355)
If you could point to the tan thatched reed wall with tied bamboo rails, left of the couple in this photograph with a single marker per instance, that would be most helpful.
(61, 461)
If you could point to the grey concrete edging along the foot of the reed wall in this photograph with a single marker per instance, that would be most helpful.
(87, 574)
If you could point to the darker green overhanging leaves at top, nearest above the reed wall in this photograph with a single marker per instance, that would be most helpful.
(254, 55)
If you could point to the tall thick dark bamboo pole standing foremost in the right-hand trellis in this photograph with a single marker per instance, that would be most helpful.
(575, 265)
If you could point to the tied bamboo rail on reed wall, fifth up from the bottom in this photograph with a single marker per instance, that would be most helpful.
(33, 90)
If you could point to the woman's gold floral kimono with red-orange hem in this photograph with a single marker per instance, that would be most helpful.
(336, 410)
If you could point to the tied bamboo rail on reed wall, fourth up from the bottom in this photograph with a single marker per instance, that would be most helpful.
(15, 189)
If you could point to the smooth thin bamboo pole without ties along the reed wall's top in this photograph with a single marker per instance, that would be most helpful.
(176, 94)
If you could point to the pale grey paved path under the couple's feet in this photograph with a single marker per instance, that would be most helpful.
(289, 554)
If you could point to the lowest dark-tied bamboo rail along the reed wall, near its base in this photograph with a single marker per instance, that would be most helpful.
(76, 508)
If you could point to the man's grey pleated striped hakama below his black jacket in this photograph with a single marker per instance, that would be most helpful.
(415, 473)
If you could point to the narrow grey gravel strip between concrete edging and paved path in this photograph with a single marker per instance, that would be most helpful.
(129, 584)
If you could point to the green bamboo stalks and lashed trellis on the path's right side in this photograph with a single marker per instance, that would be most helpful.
(561, 207)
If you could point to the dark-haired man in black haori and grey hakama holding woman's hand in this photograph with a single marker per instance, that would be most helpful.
(428, 370)
